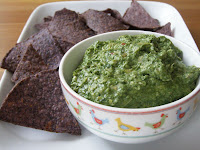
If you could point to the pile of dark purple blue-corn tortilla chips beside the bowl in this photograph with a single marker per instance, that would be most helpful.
(36, 100)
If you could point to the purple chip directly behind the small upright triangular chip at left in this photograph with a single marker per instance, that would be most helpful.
(43, 42)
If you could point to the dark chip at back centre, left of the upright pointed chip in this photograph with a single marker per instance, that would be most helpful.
(101, 22)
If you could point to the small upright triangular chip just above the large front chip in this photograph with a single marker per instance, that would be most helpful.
(30, 64)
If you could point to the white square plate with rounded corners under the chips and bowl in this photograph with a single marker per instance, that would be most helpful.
(22, 138)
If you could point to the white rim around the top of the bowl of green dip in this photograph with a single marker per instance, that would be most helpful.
(126, 110)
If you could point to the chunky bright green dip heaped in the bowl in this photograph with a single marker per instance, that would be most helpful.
(137, 71)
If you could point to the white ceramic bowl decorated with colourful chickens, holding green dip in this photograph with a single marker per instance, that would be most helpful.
(138, 125)
